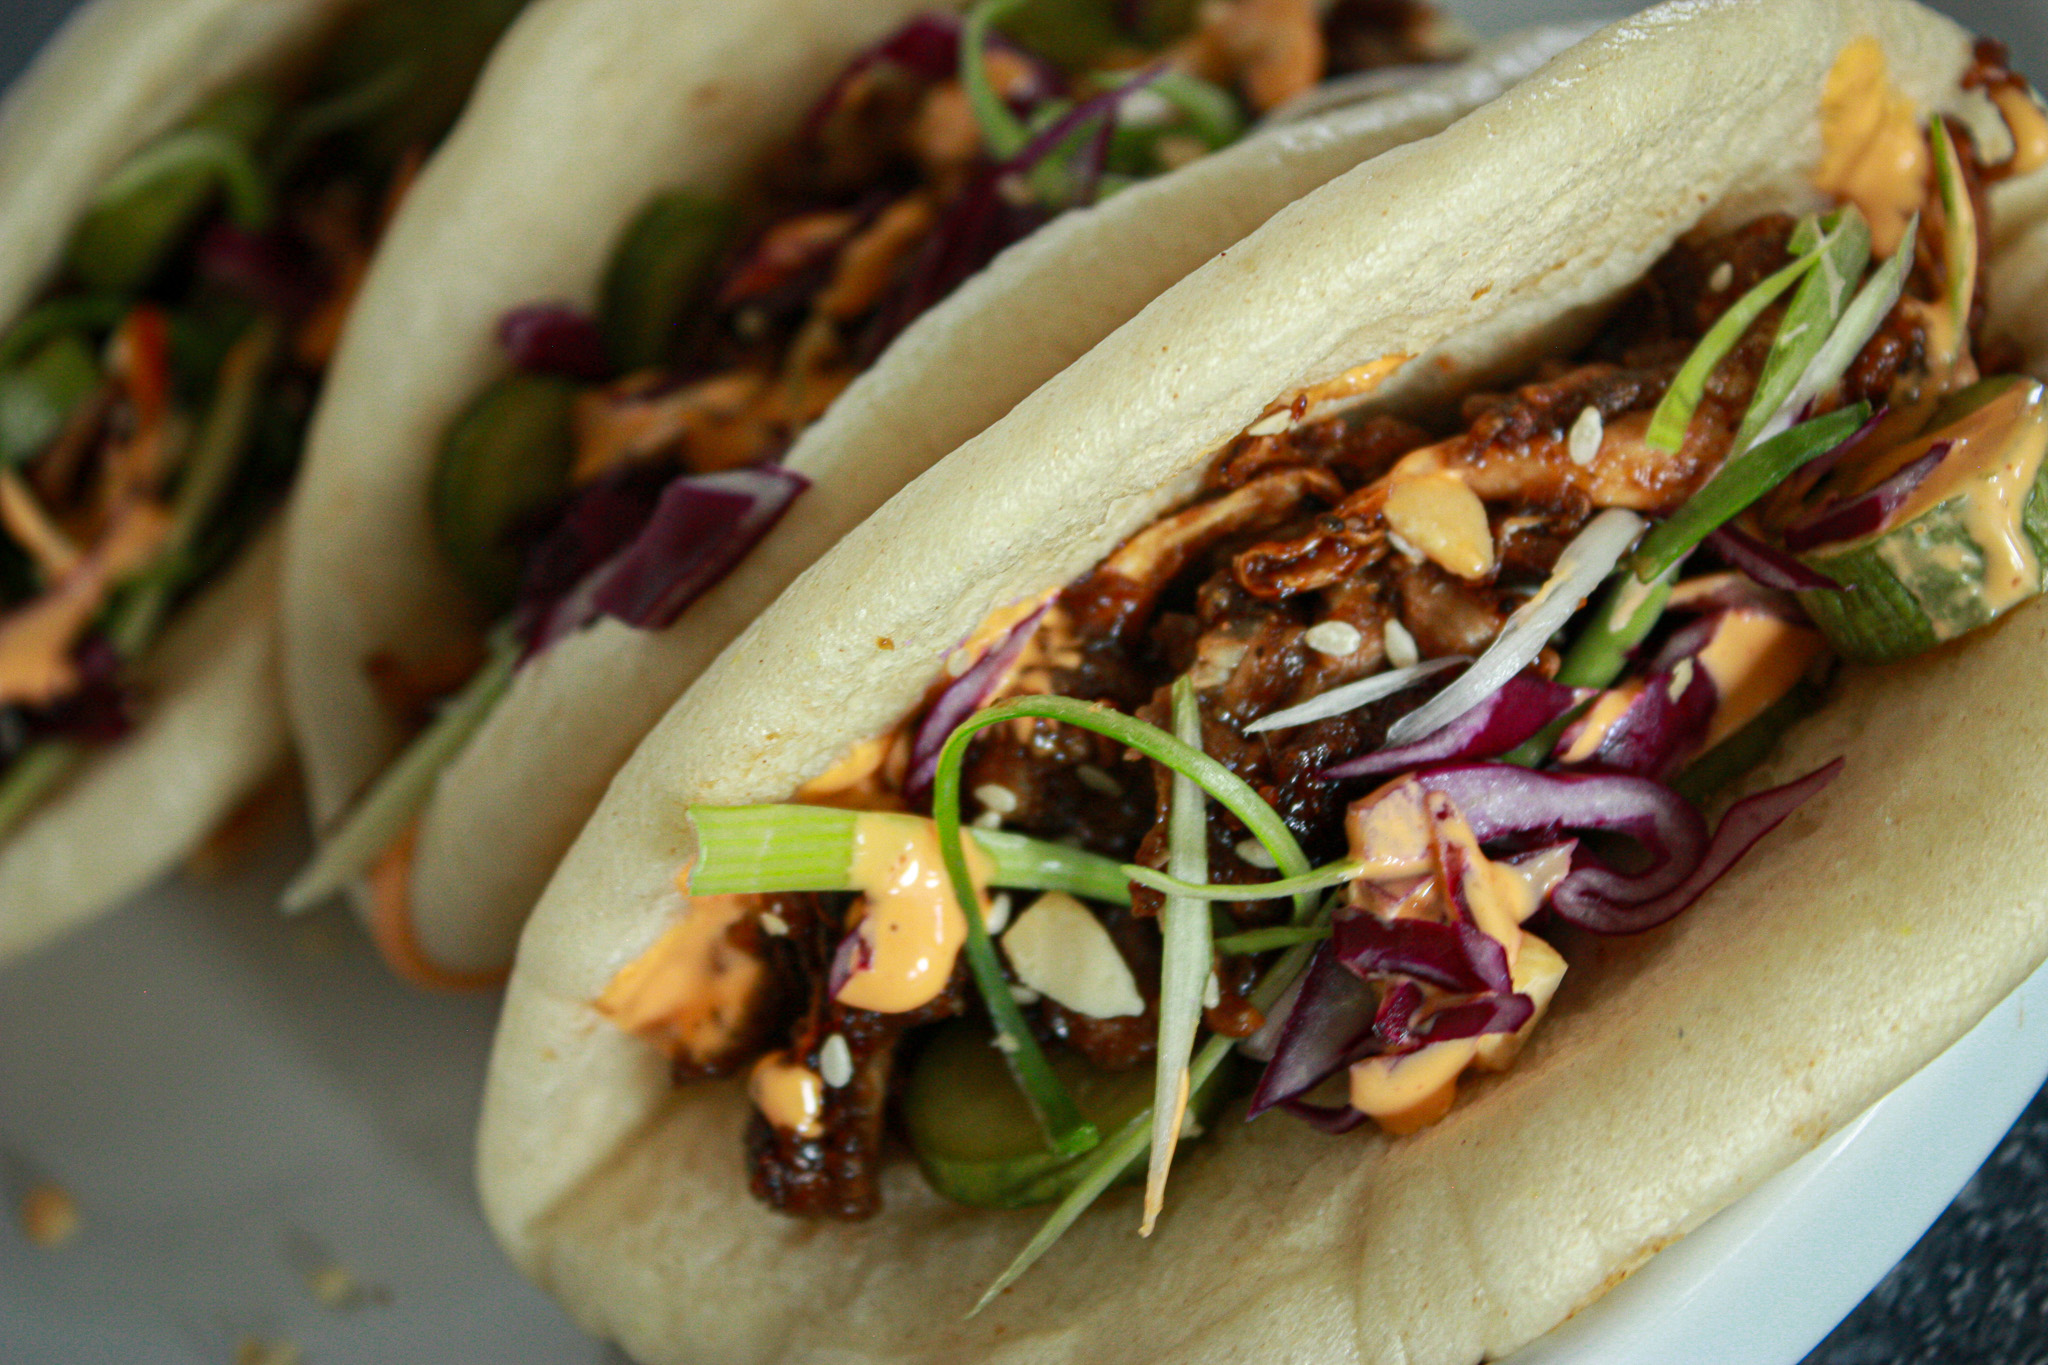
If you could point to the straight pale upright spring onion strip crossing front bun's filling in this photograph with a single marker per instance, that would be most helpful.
(1187, 961)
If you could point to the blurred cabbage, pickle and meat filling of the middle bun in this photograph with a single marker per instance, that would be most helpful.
(630, 461)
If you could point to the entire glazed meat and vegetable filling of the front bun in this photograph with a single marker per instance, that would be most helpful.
(1787, 445)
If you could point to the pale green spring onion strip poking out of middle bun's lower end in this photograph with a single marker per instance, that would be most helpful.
(404, 789)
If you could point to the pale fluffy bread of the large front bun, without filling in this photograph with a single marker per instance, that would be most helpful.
(1678, 1069)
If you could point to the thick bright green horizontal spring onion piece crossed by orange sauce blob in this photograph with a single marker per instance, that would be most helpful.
(775, 848)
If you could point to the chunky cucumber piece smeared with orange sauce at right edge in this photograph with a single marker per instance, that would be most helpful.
(1963, 552)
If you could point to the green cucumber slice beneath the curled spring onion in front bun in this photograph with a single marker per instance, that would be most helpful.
(976, 1137)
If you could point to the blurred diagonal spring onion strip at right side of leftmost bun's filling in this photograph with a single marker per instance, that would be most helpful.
(224, 441)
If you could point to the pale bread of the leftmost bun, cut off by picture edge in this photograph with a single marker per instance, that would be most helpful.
(114, 79)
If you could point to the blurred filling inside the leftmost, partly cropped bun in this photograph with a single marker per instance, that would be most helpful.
(155, 398)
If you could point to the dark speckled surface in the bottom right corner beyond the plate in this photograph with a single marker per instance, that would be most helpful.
(1975, 1290)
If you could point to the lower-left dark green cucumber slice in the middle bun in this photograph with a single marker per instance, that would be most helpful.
(505, 461)
